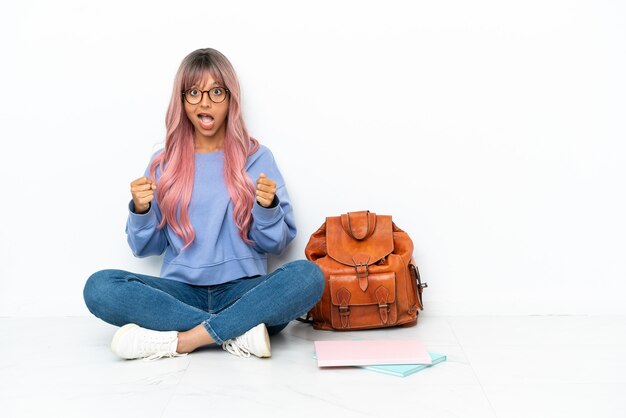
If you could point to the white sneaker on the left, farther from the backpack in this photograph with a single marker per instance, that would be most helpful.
(131, 341)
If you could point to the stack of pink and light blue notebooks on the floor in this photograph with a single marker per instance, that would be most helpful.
(395, 357)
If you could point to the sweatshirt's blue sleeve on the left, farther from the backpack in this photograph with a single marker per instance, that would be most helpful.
(142, 234)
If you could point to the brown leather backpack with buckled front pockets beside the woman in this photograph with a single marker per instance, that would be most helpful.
(371, 278)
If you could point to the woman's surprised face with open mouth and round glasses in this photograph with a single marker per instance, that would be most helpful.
(208, 117)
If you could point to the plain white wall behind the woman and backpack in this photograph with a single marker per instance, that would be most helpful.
(492, 131)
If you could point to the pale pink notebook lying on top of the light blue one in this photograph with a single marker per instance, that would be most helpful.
(370, 352)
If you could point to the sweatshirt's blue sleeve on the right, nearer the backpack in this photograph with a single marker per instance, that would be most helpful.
(272, 228)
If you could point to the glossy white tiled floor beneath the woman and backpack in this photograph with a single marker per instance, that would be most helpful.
(520, 366)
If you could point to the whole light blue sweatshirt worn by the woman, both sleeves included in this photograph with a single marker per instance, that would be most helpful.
(217, 254)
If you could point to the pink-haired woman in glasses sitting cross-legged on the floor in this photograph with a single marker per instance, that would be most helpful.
(215, 202)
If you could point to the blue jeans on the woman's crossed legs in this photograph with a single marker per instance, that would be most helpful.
(226, 310)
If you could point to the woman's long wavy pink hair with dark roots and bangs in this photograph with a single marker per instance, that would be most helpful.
(176, 161)
